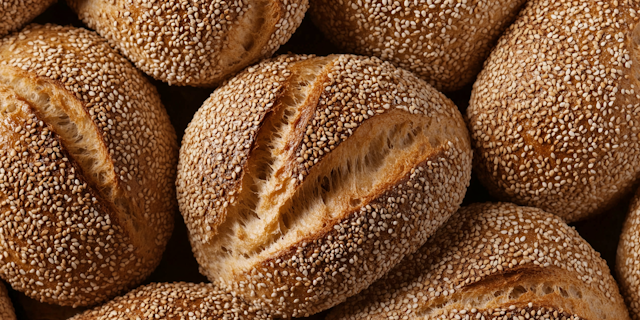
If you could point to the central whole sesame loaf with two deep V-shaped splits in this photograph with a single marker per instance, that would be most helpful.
(304, 179)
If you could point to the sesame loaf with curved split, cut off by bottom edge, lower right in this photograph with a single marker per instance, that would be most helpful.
(495, 261)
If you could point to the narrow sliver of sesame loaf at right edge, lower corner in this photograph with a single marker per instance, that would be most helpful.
(627, 264)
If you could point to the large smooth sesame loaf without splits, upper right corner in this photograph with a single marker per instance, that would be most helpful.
(555, 114)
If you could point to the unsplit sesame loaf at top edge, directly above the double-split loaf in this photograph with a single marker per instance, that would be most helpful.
(443, 42)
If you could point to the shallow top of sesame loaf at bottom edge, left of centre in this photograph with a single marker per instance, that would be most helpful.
(175, 301)
